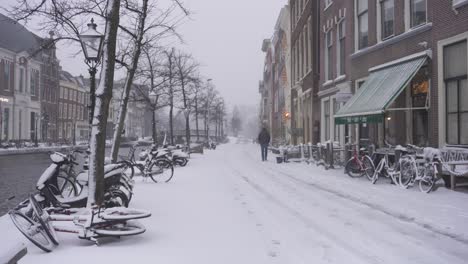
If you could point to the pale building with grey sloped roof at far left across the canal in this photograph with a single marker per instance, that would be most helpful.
(21, 67)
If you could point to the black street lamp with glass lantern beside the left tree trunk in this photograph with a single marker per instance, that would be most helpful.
(91, 43)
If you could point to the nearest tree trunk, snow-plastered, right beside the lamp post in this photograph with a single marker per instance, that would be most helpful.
(101, 111)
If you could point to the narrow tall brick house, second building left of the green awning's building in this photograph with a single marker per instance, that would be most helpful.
(305, 70)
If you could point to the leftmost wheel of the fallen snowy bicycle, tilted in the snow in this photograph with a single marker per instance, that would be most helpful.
(33, 231)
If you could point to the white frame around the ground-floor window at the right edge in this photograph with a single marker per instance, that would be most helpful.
(441, 84)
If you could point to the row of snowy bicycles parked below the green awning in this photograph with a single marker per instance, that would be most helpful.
(412, 166)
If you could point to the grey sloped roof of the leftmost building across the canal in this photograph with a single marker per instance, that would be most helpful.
(19, 38)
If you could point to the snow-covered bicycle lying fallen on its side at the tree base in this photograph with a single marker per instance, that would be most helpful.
(40, 225)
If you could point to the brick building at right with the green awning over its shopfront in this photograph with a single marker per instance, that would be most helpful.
(408, 59)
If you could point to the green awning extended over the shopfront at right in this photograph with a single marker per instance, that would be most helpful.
(383, 86)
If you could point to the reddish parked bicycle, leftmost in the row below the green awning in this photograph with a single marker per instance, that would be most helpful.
(360, 164)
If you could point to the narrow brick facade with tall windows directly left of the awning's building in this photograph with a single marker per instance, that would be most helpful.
(336, 46)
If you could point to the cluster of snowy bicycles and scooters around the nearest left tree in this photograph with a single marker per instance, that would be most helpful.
(60, 204)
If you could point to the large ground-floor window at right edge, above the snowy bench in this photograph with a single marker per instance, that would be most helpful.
(456, 85)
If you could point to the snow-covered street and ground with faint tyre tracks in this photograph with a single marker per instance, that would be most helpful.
(229, 207)
